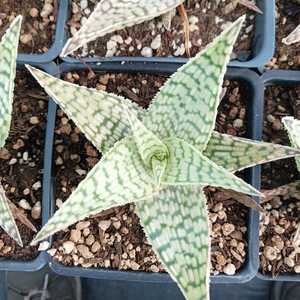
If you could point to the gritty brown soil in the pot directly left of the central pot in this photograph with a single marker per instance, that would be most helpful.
(21, 163)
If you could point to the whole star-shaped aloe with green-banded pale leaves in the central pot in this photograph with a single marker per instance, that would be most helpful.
(161, 159)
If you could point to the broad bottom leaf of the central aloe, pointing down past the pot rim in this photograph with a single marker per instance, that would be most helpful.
(176, 224)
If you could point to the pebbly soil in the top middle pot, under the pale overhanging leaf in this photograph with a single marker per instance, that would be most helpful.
(207, 19)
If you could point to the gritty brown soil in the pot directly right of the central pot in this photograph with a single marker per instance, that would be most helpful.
(278, 253)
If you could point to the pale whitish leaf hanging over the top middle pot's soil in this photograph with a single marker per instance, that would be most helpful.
(111, 15)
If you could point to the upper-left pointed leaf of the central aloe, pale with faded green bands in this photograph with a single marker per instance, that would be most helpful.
(99, 115)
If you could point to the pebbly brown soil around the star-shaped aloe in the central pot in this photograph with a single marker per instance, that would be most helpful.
(115, 239)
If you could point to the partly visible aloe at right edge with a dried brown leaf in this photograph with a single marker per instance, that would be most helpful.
(292, 189)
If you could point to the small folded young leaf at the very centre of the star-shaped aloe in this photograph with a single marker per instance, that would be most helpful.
(153, 151)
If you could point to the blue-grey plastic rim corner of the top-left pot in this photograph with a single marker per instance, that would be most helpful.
(59, 39)
